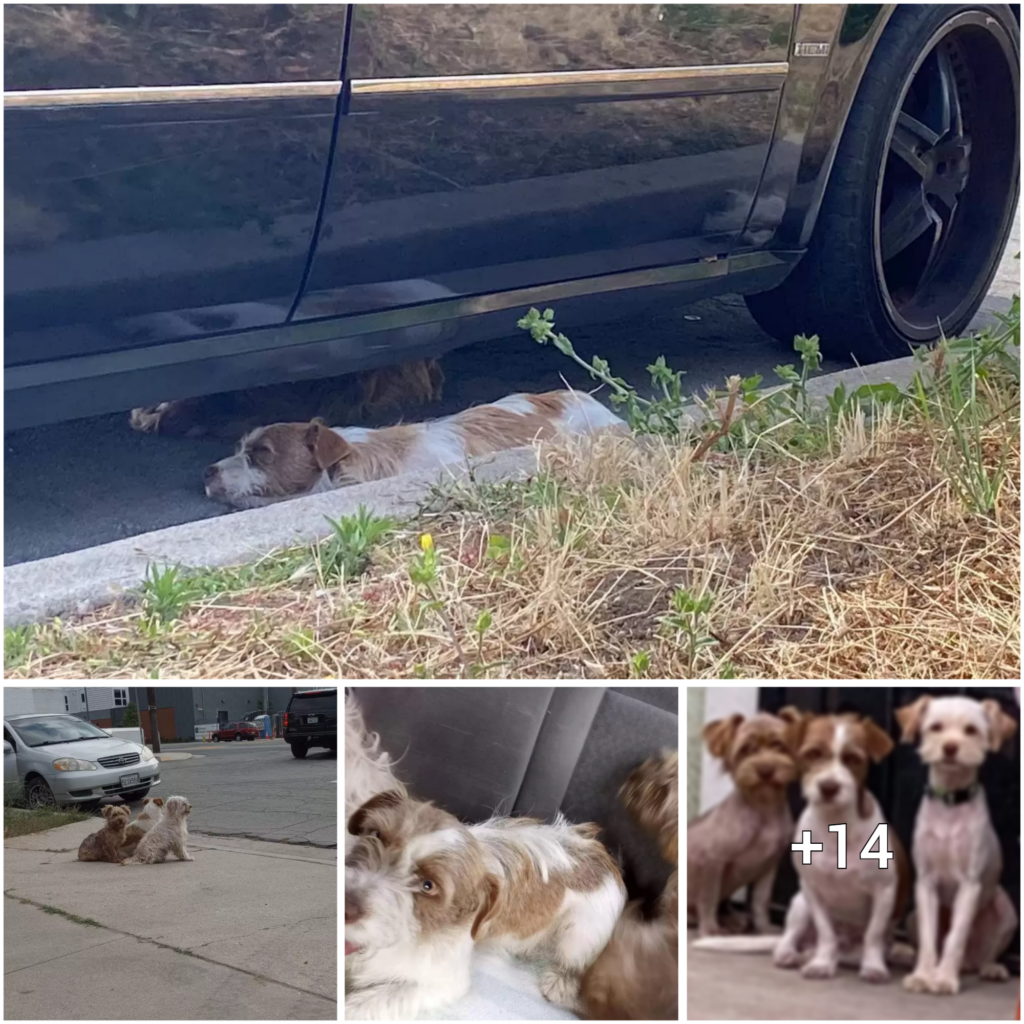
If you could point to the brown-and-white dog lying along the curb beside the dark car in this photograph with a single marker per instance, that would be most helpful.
(290, 460)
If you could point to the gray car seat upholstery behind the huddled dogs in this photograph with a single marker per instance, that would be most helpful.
(534, 751)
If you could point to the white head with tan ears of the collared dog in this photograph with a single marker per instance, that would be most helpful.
(955, 733)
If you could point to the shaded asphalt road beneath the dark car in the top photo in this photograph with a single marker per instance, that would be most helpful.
(74, 486)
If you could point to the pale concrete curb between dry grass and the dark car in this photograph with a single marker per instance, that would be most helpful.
(80, 581)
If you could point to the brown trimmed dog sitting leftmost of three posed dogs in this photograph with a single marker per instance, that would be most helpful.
(741, 841)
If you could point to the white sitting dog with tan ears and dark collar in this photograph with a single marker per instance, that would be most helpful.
(956, 850)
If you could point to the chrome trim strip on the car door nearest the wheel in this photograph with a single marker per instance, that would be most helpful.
(561, 79)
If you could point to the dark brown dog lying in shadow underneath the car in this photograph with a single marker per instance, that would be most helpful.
(360, 398)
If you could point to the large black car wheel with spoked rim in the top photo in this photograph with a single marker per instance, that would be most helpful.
(921, 199)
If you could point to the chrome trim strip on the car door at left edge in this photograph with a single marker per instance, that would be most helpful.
(41, 99)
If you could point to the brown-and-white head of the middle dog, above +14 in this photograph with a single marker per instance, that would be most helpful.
(836, 753)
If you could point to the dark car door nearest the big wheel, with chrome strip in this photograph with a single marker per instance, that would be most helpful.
(492, 148)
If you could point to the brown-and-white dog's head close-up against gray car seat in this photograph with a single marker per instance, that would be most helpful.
(415, 872)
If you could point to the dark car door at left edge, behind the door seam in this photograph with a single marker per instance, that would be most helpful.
(164, 166)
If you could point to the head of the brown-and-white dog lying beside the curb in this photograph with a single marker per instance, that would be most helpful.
(275, 463)
